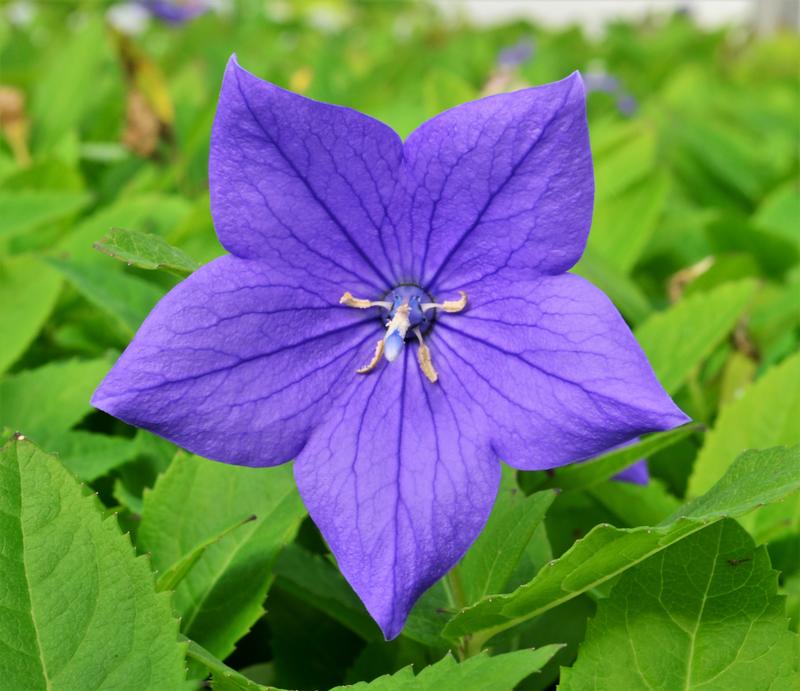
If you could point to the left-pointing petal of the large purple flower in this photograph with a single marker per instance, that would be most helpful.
(237, 363)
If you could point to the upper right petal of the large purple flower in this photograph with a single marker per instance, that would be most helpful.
(502, 185)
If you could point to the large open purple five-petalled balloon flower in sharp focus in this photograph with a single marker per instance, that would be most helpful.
(447, 255)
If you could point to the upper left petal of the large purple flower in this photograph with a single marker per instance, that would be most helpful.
(302, 184)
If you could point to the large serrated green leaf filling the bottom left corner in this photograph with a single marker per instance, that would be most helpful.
(79, 609)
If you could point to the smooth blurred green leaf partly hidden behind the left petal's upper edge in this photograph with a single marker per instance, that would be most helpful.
(128, 299)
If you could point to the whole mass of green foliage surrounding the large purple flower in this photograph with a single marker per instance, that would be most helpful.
(693, 581)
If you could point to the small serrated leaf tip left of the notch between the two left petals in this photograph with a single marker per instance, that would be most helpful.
(146, 251)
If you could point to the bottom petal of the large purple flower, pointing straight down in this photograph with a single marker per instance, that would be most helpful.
(399, 484)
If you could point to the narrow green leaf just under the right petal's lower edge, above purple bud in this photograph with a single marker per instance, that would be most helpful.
(589, 473)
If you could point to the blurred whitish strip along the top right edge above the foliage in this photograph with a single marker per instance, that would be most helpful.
(765, 16)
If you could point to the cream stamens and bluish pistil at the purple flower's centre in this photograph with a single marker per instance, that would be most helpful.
(406, 308)
